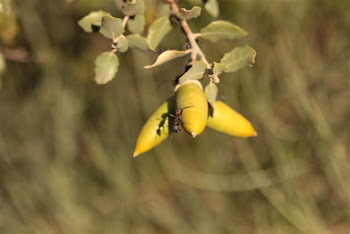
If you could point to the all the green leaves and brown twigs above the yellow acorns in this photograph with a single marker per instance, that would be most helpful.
(106, 64)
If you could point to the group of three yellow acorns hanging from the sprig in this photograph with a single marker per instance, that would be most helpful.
(194, 119)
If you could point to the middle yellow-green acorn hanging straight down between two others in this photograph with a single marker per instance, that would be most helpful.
(190, 95)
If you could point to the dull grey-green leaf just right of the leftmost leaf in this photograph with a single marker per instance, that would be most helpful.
(111, 27)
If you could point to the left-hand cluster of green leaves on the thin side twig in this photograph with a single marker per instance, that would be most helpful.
(106, 64)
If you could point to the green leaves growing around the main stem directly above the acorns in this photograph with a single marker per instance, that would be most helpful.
(214, 32)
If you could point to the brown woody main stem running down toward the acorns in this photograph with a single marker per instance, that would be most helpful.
(196, 50)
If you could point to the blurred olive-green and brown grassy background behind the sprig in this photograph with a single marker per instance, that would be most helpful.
(66, 143)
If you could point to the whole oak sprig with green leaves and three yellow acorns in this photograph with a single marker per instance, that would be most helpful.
(126, 33)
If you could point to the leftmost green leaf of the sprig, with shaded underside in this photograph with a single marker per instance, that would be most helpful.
(92, 22)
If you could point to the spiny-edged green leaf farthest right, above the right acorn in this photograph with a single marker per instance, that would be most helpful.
(238, 58)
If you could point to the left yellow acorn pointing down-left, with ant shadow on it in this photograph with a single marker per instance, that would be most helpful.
(156, 128)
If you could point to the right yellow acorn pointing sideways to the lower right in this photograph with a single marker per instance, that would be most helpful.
(228, 121)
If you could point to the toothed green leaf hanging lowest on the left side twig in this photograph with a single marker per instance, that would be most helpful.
(106, 66)
